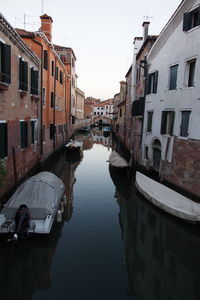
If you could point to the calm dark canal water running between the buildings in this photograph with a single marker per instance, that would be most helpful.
(111, 243)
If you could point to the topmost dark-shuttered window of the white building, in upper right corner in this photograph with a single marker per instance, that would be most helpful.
(191, 19)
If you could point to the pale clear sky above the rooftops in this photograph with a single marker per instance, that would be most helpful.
(101, 33)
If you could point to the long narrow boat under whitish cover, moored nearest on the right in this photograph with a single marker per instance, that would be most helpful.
(167, 199)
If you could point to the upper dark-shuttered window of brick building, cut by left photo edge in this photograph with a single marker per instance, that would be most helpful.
(5, 63)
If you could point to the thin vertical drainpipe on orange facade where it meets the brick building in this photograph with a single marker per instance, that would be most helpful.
(41, 89)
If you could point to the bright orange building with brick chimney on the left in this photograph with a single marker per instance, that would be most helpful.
(54, 87)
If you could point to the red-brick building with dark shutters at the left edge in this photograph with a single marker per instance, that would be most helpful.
(20, 109)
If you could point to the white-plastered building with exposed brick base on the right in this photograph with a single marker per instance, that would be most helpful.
(171, 137)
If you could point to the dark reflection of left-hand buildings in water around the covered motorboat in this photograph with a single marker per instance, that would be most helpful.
(25, 267)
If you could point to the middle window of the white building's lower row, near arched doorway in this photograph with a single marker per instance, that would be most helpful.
(167, 122)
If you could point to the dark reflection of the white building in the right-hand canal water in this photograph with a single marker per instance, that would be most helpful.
(162, 253)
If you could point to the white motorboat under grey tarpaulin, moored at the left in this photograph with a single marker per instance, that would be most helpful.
(42, 195)
